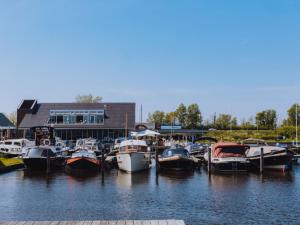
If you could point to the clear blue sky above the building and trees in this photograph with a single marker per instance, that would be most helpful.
(232, 56)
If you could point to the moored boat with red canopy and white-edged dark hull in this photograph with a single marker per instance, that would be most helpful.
(228, 157)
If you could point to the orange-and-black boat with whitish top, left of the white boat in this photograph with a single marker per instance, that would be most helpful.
(83, 160)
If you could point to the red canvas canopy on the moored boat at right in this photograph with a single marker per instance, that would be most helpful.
(228, 149)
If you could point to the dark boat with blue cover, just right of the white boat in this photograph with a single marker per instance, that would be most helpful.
(177, 159)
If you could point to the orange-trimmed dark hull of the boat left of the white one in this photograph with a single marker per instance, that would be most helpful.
(82, 164)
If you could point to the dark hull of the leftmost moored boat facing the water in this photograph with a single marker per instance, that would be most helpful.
(40, 164)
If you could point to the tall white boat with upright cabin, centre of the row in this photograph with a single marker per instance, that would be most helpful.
(133, 156)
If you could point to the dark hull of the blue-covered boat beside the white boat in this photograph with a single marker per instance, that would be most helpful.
(176, 163)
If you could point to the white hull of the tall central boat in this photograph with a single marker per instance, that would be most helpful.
(133, 161)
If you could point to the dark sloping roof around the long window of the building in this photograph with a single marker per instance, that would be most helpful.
(115, 115)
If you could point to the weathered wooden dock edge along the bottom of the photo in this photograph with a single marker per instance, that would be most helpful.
(98, 222)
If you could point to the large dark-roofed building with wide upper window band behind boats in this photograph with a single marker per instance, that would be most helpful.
(71, 121)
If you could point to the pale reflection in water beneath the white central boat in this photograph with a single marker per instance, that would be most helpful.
(124, 179)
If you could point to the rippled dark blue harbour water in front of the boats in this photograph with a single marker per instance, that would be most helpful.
(195, 198)
